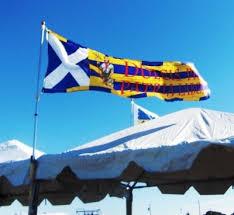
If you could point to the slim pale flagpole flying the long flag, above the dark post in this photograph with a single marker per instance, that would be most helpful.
(38, 91)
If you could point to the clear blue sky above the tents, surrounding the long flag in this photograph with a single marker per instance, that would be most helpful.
(198, 31)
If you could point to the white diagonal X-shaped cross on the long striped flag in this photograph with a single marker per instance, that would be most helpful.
(68, 65)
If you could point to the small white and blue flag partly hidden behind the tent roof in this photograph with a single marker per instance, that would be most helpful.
(141, 115)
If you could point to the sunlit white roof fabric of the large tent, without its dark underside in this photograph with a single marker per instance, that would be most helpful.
(168, 144)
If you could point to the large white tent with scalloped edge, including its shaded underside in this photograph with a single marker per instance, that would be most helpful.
(192, 147)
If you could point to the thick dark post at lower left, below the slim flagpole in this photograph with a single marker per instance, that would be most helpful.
(34, 188)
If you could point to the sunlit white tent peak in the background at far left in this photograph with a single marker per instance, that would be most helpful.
(14, 150)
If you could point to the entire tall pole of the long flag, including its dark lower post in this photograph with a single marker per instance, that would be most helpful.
(34, 185)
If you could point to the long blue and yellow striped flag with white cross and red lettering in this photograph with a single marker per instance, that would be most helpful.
(72, 67)
